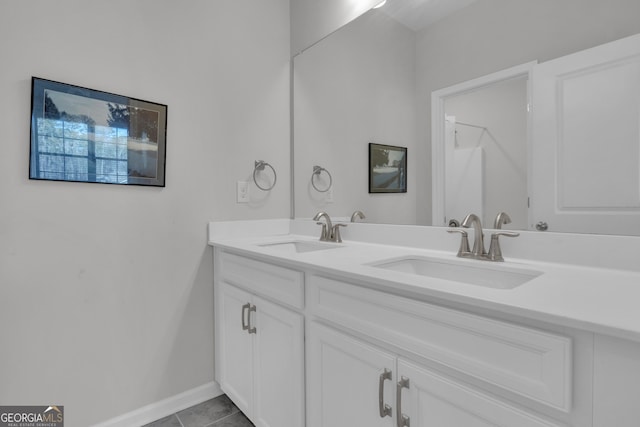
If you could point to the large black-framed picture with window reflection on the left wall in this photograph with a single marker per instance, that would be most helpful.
(86, 135)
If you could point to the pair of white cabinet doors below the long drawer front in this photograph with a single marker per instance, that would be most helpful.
(343, 390)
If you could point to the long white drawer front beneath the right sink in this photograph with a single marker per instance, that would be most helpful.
(532, 363)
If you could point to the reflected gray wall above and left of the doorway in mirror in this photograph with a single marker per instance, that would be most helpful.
(492, 35)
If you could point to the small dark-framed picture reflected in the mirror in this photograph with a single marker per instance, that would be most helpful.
(387, 168)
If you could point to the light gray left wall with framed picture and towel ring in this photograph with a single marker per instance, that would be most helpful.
(106, 291)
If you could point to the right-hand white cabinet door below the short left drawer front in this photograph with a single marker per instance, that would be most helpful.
(278, 366)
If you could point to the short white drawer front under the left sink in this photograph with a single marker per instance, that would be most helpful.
(277, 283)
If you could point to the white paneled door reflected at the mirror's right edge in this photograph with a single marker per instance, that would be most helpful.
(586, 140)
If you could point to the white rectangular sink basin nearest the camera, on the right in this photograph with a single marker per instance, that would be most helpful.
(487, 274)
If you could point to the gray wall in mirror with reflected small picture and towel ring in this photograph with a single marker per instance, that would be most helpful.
(353, 88)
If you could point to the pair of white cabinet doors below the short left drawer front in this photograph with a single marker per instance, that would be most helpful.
(260, 357)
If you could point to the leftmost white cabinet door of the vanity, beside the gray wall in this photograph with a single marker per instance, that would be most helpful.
(234, 345)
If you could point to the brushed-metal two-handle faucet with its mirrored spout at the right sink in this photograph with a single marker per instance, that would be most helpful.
(478, 252)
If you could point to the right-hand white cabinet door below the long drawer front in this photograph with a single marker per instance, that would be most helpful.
(431, 400)
